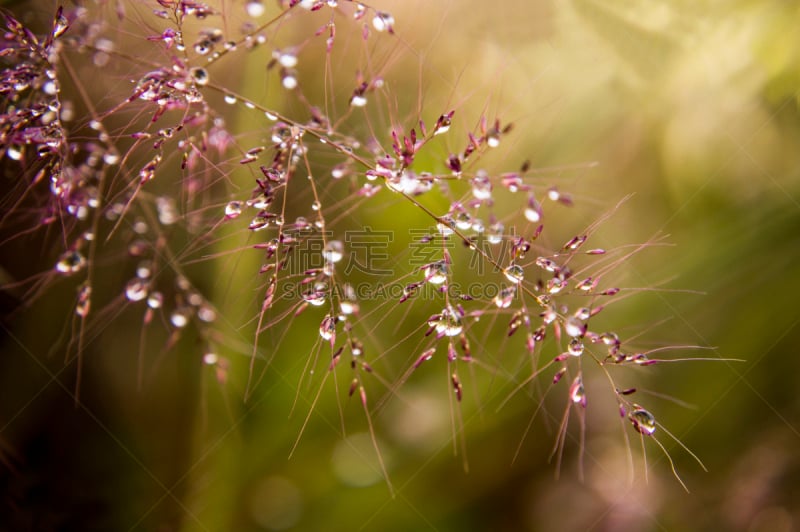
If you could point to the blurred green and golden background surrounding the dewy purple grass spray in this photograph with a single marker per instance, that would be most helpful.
(692, 107)
